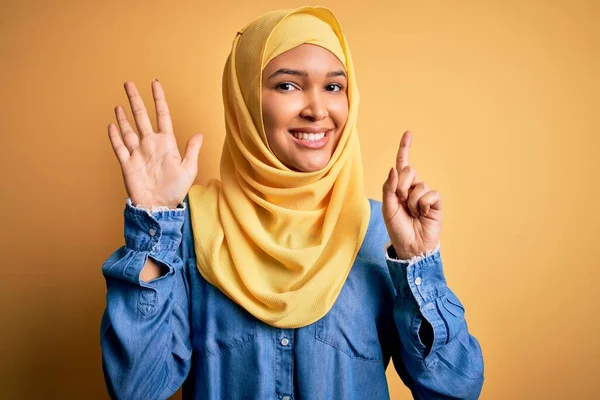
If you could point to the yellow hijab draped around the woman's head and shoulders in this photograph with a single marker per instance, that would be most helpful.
(279, 242)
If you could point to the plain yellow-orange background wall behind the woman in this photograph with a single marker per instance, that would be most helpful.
(502, 98)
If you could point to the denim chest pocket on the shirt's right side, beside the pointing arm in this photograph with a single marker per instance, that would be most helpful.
(350, 325)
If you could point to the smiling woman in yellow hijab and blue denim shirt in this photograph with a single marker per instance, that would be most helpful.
(279, 281)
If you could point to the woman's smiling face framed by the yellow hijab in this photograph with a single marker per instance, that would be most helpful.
(305, 106)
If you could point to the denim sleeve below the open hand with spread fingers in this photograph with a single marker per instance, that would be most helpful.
(145, 331)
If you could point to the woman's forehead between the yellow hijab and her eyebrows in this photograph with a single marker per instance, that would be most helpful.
(307, 57)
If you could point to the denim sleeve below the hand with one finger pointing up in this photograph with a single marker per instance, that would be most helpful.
(443, 360)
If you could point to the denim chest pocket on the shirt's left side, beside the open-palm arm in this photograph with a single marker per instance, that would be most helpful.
(218, 323)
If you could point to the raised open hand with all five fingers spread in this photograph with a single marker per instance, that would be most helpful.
(153, 171)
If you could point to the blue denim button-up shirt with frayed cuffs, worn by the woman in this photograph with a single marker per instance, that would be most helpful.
(180, 330)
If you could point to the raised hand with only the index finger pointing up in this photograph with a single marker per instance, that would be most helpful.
(411, 210)
